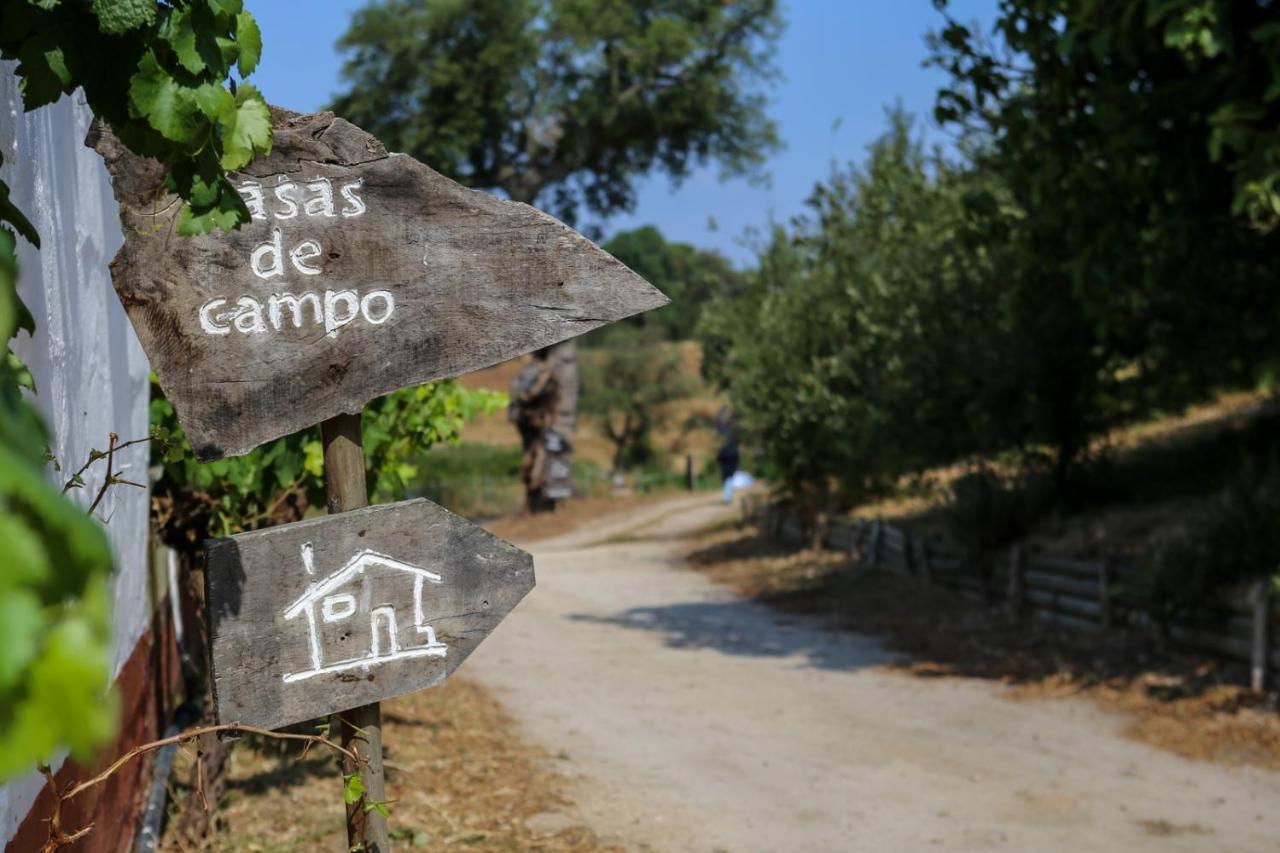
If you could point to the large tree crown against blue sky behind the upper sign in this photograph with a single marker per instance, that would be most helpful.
(564, 103)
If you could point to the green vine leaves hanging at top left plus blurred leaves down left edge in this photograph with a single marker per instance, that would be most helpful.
(162, 76)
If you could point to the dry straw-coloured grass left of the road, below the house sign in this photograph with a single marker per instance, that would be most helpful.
(459, 776)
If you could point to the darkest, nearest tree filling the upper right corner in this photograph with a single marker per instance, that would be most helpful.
(1137, 150)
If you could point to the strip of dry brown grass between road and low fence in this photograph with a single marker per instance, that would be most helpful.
(1178, 703)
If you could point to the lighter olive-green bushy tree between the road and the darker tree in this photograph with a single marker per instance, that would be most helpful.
(865, 334)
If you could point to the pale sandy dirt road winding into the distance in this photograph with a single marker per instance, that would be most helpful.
(698, 722)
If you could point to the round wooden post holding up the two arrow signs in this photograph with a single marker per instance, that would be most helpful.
(362, 729)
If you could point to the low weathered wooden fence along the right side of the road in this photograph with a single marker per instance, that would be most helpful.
(1086, 595)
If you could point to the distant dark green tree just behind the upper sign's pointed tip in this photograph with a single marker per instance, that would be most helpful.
(689, 277)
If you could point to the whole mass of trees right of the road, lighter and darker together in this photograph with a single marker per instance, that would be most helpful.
(1098, 248)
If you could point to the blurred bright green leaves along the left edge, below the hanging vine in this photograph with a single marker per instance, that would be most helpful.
(54, 603)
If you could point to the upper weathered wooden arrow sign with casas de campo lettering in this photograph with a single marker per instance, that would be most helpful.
(362, 272)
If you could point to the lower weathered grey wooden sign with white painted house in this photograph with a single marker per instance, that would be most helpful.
(336, 613)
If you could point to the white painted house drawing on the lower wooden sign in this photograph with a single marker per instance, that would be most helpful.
(348, 631)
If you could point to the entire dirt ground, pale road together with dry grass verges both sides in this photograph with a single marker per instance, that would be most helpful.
(633, 704)
